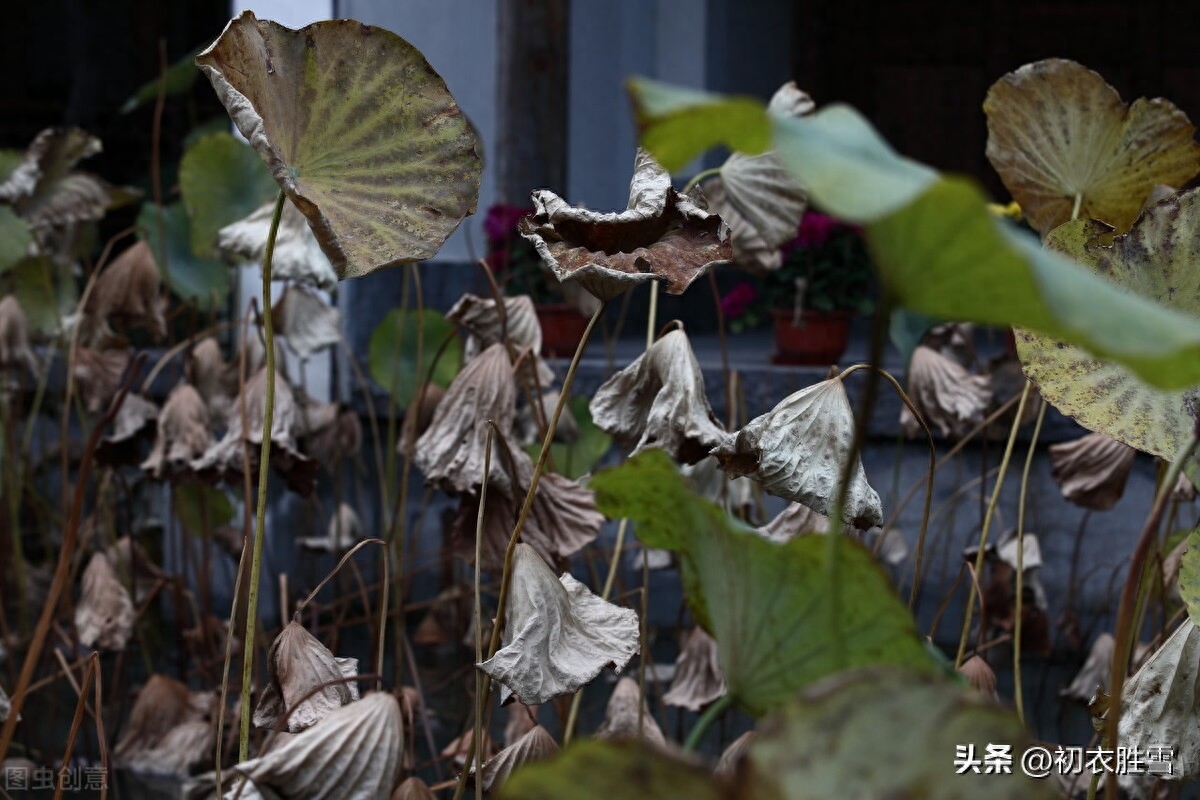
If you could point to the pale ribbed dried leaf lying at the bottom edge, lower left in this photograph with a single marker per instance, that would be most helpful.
(353, 753)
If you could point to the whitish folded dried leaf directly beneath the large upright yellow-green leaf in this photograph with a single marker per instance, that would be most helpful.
(297, 257)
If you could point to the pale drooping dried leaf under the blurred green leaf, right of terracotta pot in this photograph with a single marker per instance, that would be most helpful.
(949, 398)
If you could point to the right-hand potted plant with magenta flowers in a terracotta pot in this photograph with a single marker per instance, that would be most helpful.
(825, 280)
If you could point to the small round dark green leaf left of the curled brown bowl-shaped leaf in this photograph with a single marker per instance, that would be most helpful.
(392, 353)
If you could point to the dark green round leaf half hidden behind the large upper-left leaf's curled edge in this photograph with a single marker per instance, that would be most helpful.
(223, 181)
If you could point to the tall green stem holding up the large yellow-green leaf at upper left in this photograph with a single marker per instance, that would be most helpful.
(265, 472)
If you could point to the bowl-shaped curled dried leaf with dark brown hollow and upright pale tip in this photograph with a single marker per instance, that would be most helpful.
(662, 236)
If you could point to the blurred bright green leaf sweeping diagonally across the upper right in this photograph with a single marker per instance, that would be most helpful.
(941, 254)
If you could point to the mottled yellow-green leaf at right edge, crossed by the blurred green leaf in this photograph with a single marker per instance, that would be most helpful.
(1156, 260)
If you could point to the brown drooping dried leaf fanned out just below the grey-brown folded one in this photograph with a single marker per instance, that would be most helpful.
(562, 521)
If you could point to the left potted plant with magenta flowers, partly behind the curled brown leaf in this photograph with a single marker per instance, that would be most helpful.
(518, 268)
